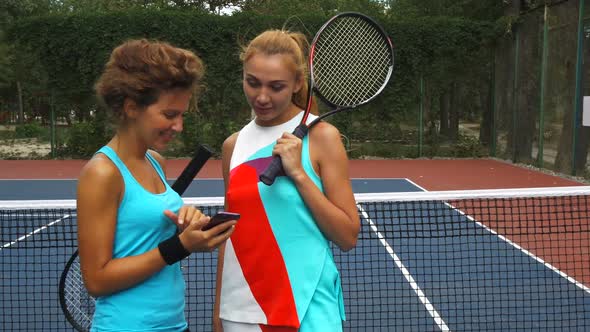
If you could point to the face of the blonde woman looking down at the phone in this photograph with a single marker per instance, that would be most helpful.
(269, 84)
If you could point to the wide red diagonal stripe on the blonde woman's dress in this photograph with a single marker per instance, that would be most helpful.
(257, 250)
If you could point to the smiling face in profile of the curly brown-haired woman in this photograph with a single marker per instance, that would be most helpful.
(159, 123)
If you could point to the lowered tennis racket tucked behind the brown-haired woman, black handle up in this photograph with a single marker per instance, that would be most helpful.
(76, 304)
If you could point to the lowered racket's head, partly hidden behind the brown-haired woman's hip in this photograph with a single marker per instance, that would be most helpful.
(76, 304)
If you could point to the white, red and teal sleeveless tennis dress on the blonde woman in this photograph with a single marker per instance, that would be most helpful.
(278, 272)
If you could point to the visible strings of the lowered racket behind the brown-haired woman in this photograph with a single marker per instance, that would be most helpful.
(80, 305)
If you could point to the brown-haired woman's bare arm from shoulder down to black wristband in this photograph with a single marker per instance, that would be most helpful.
(100, 187)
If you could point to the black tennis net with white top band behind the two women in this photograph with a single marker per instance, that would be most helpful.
(483, 260)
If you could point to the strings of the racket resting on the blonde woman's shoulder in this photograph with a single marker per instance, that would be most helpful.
(352, 62)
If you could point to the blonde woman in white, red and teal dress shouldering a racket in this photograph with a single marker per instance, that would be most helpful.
(277, 272)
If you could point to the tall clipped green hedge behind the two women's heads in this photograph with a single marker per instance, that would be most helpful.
(69, 52)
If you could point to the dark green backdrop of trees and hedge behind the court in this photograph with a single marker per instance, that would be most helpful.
(467, 80)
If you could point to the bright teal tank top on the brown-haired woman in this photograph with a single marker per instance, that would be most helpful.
(156, 304)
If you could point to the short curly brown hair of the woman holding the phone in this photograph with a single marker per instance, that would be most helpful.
(141, 69)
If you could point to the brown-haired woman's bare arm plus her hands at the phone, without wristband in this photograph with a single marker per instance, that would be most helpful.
(100, 189)
